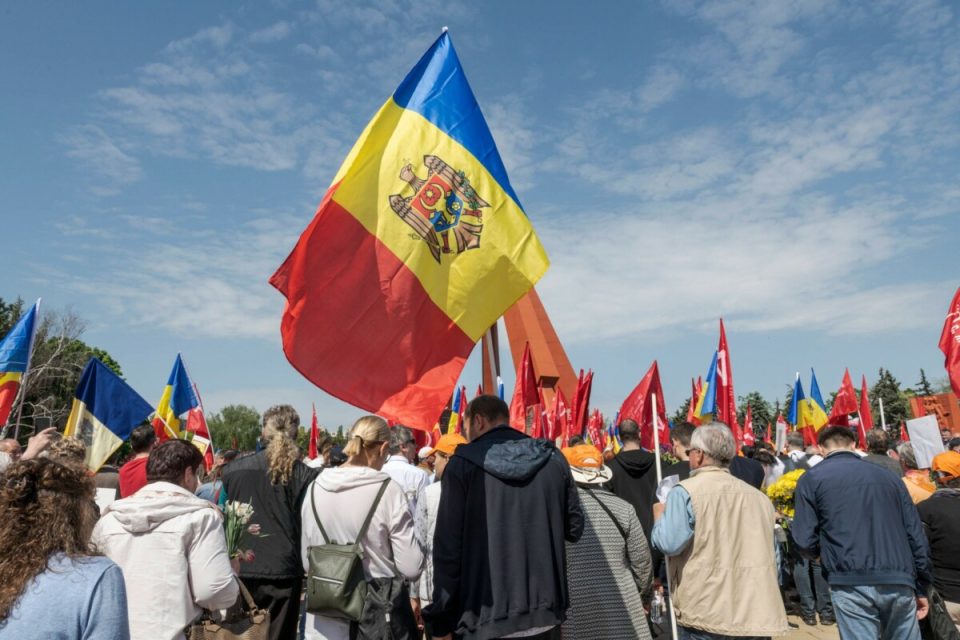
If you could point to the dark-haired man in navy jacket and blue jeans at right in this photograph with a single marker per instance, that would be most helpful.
(858, 519)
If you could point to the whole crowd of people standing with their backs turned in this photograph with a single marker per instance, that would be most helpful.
(487, 534)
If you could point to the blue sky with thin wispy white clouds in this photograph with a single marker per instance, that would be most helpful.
(792, 166)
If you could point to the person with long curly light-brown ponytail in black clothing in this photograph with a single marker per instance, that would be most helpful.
(273, 481)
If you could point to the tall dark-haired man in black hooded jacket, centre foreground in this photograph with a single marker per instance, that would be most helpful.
(507, 507)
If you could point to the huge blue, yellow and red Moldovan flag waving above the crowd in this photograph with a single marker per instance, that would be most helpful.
(418, 246)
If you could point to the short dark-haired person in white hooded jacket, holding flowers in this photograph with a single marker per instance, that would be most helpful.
(170, 545)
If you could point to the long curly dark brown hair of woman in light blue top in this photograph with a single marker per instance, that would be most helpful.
(46, 507)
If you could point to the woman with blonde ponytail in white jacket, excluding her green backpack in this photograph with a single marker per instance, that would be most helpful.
(343, 497)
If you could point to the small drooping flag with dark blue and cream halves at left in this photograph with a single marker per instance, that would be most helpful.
(105, 411)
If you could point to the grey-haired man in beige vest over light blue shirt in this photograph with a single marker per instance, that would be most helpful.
(718, 533)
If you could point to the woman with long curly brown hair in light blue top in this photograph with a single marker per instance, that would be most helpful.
(51, 586)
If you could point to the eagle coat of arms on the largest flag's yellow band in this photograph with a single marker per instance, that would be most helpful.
(444, 209)
